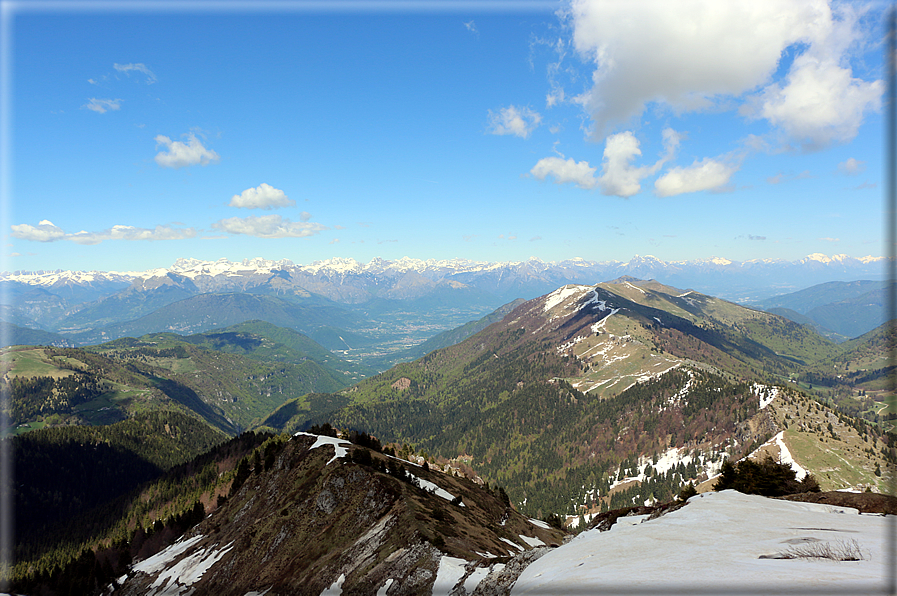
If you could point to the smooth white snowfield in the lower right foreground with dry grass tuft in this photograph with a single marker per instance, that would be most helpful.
(714, 545)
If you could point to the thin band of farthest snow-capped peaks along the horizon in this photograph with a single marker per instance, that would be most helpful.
(511, 279)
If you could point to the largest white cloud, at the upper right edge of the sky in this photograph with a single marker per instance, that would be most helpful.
(704, 53)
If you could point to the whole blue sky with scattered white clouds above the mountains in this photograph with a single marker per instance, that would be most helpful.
(140, 133)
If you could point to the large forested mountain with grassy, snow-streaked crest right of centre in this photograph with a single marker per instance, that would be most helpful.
(637, 367)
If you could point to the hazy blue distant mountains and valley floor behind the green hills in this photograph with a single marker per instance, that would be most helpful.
(379, 311)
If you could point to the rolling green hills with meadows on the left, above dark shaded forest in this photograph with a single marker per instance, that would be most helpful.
(231, 378)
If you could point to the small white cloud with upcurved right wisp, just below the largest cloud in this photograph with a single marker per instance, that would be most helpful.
(619, 176)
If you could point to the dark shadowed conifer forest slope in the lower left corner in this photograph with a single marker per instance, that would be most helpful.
(86, 522)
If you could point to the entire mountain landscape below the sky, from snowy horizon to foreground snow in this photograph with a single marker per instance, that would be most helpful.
(416, 427)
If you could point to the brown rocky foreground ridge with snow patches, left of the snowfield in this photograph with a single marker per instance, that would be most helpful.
(322, 513)
